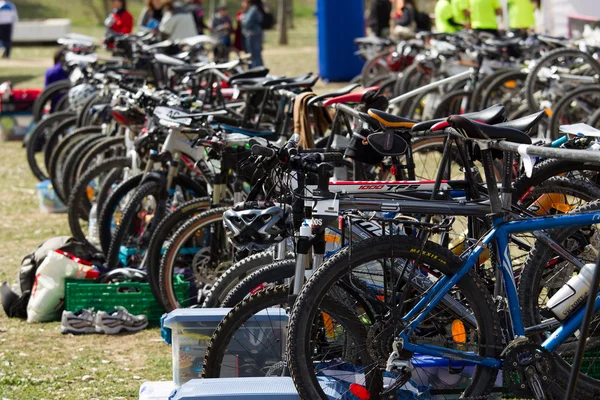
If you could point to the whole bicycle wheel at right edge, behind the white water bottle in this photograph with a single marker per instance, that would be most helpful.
(544, 274)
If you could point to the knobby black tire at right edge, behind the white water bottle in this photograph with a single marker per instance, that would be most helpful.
(529, 289)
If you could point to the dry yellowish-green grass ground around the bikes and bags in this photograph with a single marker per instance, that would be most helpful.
(36, 361)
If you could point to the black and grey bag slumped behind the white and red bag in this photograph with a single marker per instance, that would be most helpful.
(15, 304)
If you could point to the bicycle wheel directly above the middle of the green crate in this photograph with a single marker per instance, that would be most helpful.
(145, 209)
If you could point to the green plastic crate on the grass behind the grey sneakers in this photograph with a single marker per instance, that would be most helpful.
(136, 297)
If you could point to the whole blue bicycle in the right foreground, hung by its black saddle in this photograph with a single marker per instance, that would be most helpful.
(404, 341)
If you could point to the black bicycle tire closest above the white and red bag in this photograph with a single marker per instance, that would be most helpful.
(78, 198)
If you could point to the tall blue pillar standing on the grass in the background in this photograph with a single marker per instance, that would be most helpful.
(339, 23)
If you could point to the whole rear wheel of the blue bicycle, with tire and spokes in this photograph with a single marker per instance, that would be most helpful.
(363, 268)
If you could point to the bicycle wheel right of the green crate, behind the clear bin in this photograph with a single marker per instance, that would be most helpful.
(198, 253)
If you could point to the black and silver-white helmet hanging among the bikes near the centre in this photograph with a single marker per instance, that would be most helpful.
(257, 225)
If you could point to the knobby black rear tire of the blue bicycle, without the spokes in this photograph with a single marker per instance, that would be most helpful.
(326, 276)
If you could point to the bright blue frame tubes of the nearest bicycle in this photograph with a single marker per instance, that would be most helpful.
(500, 234)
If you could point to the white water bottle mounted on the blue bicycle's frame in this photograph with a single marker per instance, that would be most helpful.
(573, 293)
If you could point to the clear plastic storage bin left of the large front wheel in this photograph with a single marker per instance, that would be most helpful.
(191, 330)
